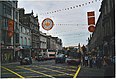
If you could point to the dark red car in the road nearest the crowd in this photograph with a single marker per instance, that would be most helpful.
(73, 61)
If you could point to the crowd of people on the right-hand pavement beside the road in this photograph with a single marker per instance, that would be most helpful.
(97, 61)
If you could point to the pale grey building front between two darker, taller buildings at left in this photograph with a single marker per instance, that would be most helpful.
(25, 41)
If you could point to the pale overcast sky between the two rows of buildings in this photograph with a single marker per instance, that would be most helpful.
(74, 28)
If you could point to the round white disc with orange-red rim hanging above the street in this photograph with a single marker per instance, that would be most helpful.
(47, 24)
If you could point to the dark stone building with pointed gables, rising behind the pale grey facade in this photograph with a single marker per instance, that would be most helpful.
(29, 20)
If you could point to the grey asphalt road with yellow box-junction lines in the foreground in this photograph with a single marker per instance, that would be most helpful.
(43, 69)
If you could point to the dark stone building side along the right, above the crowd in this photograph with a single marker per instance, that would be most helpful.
(103, 38)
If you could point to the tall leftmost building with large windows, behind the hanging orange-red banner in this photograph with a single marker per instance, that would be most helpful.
(8, 11)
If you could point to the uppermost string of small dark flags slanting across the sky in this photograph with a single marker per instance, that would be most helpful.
(70, 8)
